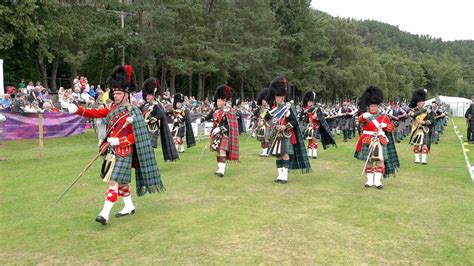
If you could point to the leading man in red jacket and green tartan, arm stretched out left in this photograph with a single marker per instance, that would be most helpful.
(127, 146)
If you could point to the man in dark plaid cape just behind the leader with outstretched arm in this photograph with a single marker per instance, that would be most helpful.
(155, 120)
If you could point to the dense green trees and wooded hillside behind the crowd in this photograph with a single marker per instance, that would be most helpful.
(196, 45)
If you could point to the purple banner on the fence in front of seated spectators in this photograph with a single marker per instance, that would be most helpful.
(25, 126)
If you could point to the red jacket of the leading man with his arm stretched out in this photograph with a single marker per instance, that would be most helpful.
(126, 138)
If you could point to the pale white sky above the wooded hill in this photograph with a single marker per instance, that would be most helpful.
(447, 19)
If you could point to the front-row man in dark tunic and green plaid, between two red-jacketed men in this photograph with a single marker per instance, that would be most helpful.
(285, 138)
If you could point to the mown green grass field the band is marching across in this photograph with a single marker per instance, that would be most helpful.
(424, 215)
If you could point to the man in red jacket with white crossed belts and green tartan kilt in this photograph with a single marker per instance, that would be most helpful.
(375, 146)
